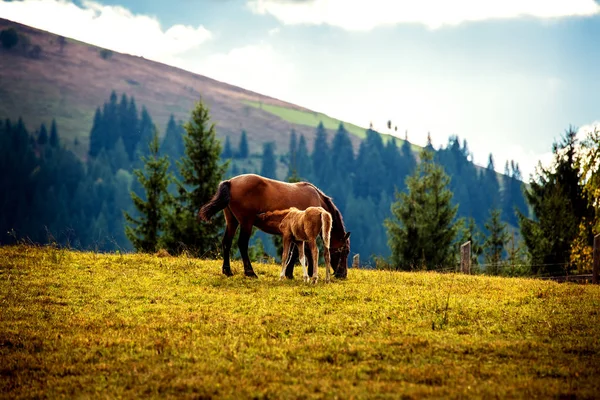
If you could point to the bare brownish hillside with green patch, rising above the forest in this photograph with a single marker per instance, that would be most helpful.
(69, 84)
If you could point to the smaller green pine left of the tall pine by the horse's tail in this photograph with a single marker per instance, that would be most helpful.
(144, 232)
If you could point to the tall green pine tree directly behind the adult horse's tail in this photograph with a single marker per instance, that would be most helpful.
(201, 174)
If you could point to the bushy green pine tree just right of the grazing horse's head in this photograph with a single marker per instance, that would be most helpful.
(422, 229)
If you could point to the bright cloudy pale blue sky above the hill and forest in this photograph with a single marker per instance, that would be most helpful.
(507, 76)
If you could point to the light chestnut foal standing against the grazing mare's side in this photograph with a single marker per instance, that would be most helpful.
(299, 227)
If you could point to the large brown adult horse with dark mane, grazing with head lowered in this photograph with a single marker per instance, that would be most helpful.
(245, 196)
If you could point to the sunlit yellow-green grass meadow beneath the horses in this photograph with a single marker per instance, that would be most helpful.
(75, 324)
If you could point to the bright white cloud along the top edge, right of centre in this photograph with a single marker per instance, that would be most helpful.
(361, 15)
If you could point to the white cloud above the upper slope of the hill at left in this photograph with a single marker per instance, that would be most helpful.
(111, 27)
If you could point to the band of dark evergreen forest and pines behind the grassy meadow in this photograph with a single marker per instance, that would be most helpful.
(129, 171)
